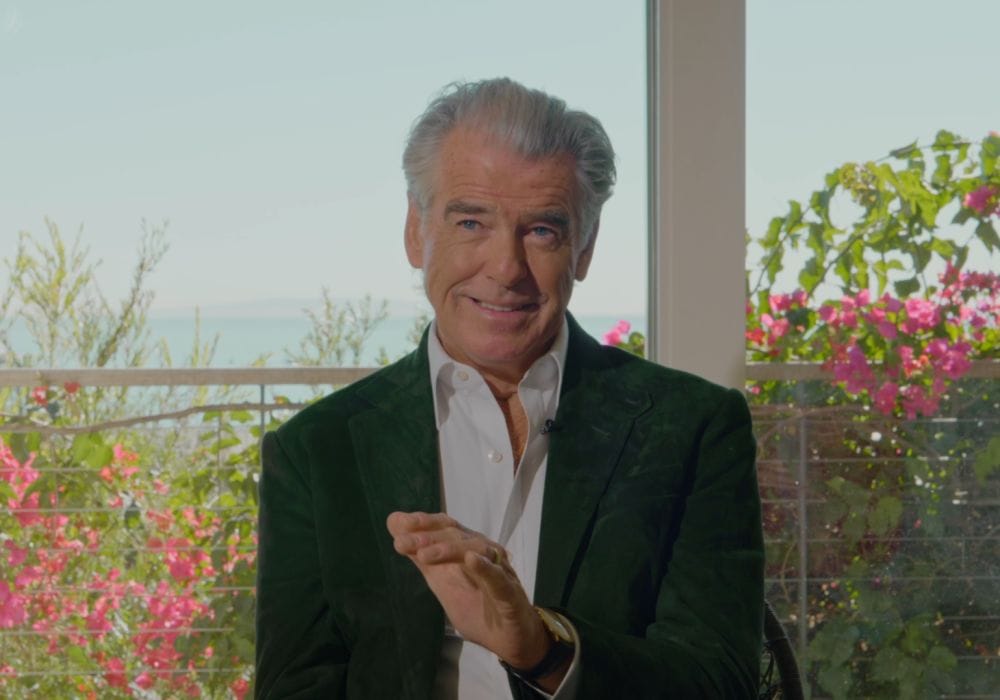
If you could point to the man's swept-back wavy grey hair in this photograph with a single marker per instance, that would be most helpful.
(533, 123)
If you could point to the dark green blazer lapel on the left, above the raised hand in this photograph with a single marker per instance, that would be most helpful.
(397, 453)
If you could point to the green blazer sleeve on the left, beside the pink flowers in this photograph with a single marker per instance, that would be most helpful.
(300, 652)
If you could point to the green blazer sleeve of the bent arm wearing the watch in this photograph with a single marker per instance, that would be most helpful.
(705, 640)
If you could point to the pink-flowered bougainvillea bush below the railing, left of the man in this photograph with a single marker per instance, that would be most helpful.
(134, 577)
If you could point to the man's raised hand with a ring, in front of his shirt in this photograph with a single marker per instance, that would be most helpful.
(475, 584)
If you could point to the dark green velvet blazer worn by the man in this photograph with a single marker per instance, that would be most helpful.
(650, 539)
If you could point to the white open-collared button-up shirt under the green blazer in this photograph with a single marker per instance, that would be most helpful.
(485, 491)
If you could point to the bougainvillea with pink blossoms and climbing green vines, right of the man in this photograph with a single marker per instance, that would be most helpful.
(898, 449)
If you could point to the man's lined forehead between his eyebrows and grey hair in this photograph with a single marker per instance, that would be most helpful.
(472, 165)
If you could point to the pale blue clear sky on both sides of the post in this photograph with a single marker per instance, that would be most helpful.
(269, 136)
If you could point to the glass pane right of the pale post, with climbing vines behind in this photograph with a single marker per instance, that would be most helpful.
(879, 461)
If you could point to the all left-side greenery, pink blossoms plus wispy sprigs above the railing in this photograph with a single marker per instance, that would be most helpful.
(127, 548)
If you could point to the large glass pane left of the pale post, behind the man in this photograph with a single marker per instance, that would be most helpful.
(261, 145)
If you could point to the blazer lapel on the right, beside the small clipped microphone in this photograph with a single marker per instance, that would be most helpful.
(595, 418)
